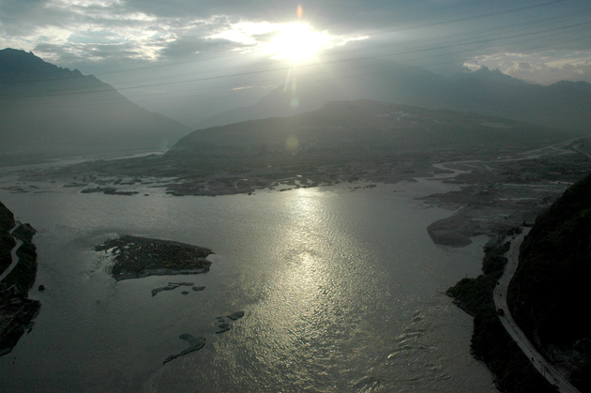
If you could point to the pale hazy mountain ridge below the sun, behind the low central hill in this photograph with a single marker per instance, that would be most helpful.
(562, 105)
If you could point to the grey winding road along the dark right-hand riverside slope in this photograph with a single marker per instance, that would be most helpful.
(500, 298)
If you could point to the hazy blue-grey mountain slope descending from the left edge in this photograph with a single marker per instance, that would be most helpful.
(47, 110)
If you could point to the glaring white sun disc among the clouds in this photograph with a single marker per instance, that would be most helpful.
(298, 43)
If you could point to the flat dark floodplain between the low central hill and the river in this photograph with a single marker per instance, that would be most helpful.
(496, 193)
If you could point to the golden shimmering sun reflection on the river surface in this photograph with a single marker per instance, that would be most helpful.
(307, 304)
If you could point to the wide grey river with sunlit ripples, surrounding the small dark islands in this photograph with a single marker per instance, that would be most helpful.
(343, 291)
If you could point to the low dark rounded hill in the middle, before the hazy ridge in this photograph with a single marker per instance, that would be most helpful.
(358, 128)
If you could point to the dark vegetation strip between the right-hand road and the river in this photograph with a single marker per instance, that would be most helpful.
(490, 342)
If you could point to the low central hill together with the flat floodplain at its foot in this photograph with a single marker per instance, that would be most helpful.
(508, 171)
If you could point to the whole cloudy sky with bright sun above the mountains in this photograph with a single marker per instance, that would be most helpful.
(225, 53)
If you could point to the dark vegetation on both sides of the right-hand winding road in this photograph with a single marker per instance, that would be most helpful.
(548, 297)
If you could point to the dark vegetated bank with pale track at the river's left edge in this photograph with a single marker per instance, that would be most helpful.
(17, 311)
